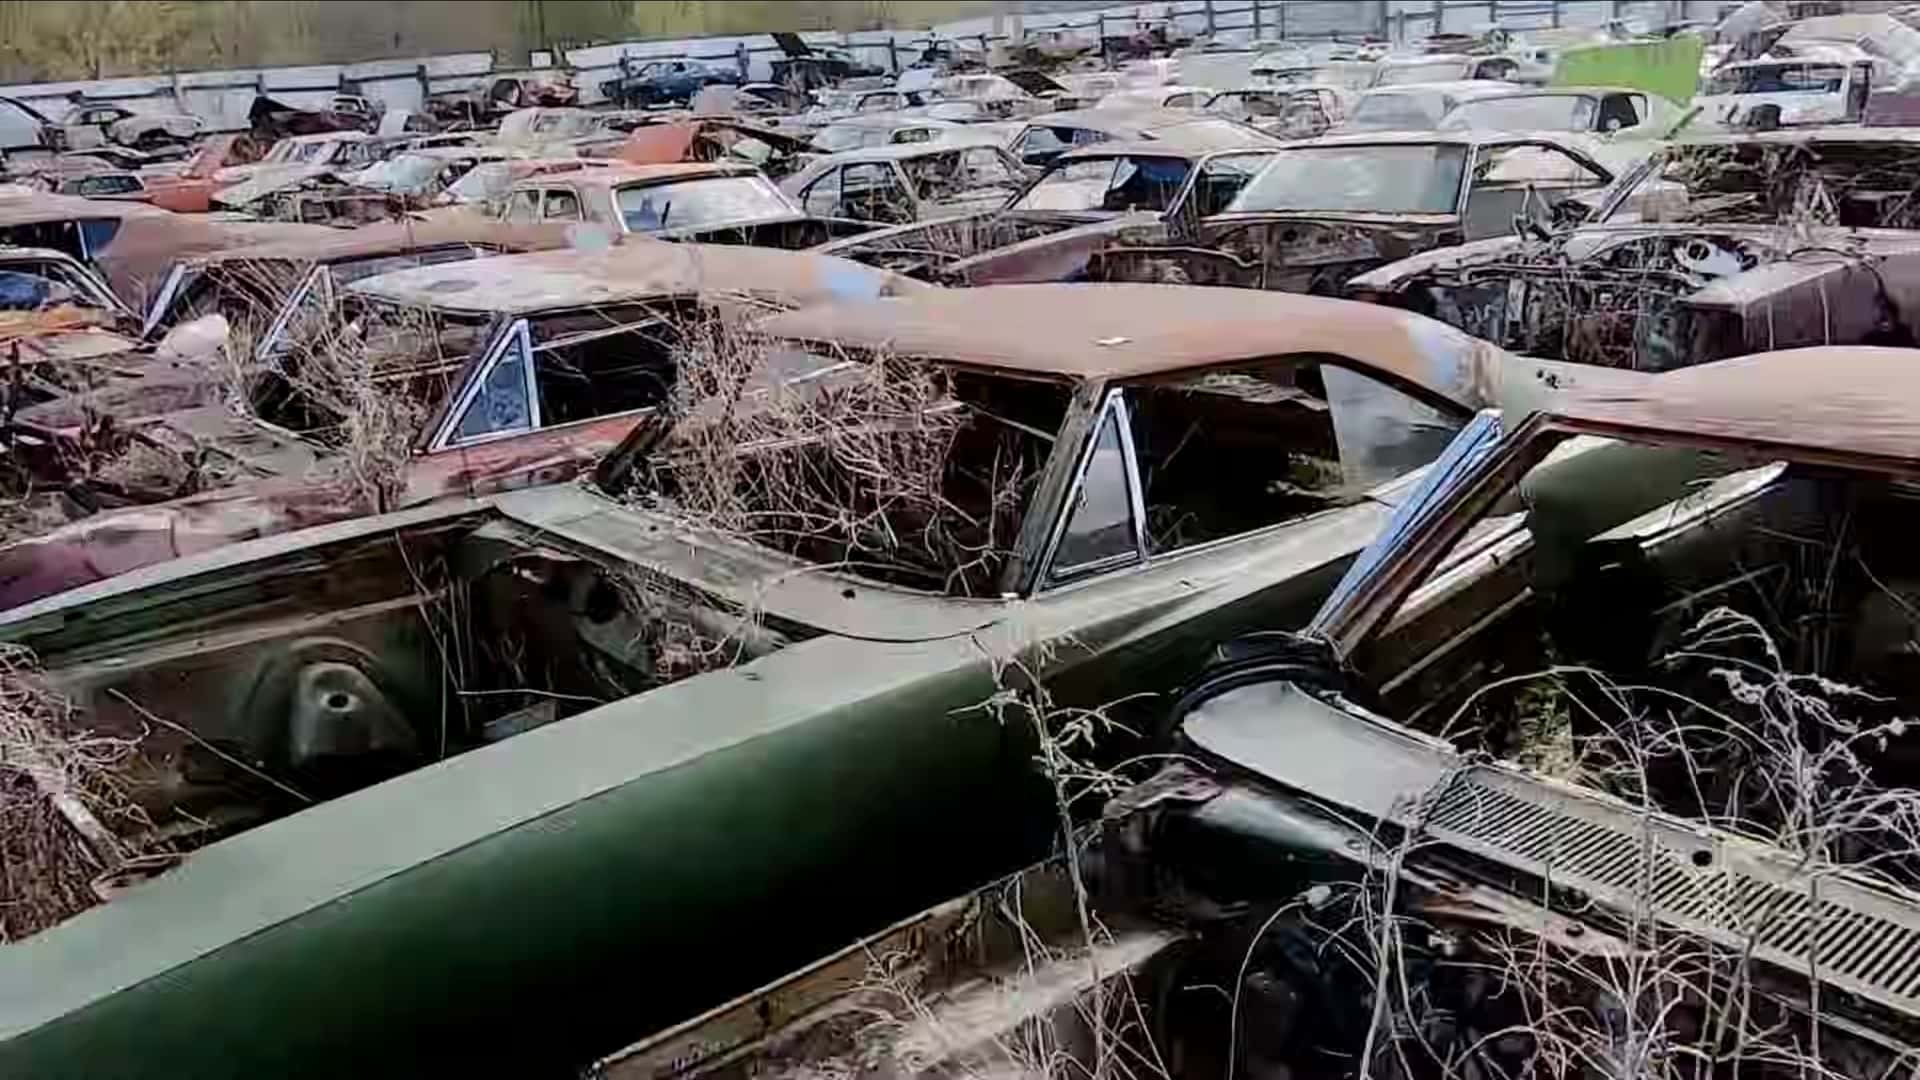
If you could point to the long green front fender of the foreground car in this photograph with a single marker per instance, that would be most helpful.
(565, 935)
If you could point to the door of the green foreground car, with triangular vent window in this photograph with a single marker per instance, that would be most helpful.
(1218, 504)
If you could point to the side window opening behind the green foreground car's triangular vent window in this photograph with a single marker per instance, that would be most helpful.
(1234, 453)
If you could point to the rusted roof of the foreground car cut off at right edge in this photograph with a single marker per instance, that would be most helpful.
(1850, 403)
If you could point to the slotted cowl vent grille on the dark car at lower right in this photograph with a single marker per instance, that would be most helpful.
(1858, 937)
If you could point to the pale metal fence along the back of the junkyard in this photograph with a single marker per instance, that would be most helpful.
(222, 99)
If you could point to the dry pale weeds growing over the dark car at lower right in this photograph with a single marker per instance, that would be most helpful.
(1754, 749)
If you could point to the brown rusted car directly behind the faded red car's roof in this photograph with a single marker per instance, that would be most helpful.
(258, 283)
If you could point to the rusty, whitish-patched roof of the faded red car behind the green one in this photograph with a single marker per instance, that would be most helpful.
(631, 272)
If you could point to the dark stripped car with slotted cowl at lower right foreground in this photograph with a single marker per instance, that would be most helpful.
(1627, 545)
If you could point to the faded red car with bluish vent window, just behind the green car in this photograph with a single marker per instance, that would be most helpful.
(535, 368)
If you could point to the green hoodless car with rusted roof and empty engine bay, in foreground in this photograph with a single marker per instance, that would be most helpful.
(539, 900)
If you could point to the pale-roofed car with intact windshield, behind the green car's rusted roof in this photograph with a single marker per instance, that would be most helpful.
(1330, 209)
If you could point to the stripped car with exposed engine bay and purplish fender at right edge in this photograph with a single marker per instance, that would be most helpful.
(1689, 258)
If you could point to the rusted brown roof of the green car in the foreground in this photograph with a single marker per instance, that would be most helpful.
(1122, 331)
